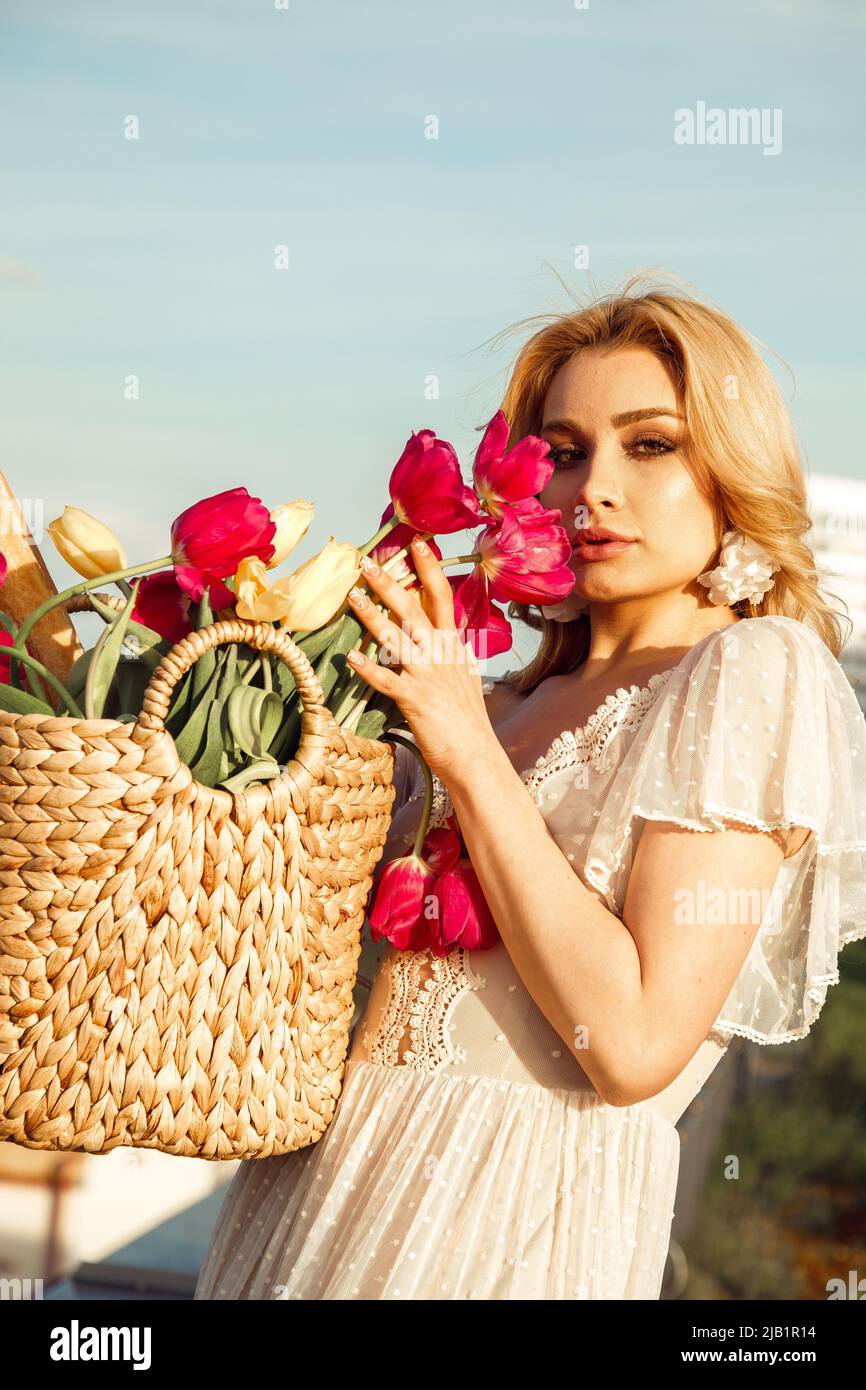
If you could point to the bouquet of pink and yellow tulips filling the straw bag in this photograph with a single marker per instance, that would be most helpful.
(236, 715)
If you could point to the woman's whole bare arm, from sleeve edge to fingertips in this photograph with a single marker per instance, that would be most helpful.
(633, 999)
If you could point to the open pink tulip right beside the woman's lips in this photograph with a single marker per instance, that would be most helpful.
(525, 555)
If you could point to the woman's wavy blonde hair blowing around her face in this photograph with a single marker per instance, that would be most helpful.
(742, 445)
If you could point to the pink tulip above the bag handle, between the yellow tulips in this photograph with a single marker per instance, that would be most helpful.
(212, 537)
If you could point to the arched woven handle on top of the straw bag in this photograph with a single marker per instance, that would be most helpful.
(263, 637)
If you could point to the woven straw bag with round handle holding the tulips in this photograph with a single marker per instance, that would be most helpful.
(177, 963)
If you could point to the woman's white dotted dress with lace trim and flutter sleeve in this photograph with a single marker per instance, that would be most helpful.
(469, 1156)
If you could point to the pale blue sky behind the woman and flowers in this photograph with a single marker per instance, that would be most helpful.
(305, 127)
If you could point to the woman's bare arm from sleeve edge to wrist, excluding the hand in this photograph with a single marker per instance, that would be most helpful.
(632, 999)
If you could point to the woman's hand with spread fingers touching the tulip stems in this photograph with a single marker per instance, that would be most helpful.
(439, 682)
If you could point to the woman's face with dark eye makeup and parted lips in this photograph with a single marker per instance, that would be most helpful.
(618, 441)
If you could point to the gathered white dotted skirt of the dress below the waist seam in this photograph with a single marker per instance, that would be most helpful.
(454, 1188)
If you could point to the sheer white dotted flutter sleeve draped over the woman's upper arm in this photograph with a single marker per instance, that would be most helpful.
(757, 728)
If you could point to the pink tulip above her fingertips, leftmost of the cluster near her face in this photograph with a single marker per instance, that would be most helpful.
(427, 490)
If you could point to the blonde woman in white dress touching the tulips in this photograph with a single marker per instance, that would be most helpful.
(668, 819)
